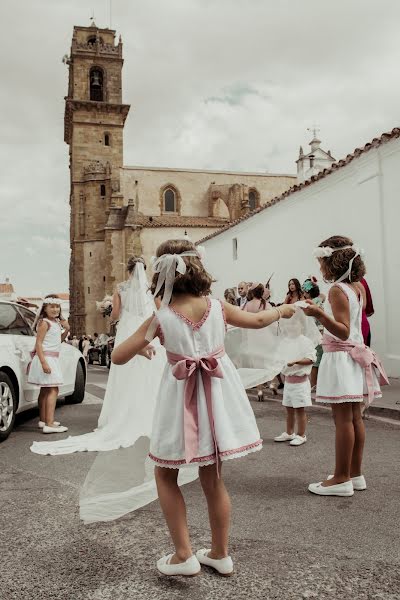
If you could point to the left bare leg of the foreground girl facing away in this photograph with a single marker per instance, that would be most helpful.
(174, 509)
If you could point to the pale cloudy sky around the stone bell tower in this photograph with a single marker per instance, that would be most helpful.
(224, 84)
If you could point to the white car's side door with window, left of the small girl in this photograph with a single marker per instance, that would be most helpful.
(17, 341)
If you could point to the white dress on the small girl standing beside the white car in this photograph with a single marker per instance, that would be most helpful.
(51, 348)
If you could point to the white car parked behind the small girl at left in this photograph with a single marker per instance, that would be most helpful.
(17, 340)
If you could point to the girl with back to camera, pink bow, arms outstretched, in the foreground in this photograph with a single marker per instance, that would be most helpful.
(203, 416)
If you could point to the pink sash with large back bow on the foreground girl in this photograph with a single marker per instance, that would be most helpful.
(187, 368)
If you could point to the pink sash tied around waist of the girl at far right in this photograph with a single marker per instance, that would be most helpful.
(361, 354)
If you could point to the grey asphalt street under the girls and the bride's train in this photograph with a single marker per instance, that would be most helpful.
(286, 543)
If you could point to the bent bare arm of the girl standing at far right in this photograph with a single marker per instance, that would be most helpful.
(340, 324)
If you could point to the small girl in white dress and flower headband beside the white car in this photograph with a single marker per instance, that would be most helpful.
(44, 369)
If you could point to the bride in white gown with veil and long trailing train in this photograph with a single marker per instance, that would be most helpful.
(127, 409)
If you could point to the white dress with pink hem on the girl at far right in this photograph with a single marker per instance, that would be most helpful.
(340, 378)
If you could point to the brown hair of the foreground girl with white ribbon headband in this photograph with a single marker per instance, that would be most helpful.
(195, 280)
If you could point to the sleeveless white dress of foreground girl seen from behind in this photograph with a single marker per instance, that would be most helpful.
(236, 431)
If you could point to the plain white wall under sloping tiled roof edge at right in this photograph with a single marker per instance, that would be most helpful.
(361, 201)
